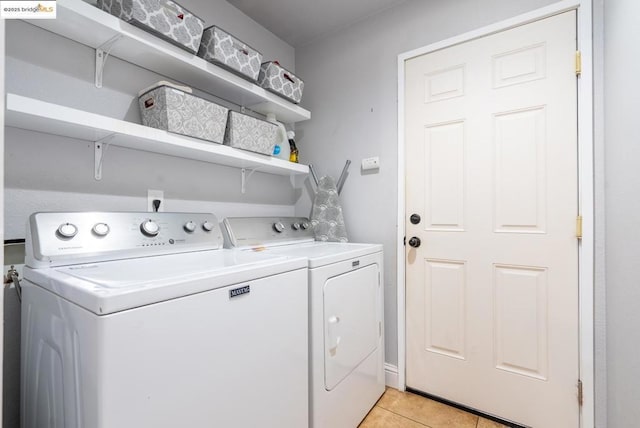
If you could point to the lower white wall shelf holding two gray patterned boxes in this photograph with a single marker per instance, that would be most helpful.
(36, 115)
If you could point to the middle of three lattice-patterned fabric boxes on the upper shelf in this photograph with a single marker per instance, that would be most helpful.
(220, 47)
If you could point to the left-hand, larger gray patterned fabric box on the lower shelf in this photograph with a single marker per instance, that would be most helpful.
(174, 109)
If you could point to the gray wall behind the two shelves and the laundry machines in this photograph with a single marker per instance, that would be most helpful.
(46, 172)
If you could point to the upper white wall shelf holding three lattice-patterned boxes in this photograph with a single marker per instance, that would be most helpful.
(91, 26)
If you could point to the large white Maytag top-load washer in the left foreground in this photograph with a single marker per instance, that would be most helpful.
(143, 320)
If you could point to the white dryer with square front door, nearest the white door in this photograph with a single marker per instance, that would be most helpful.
(346, 314)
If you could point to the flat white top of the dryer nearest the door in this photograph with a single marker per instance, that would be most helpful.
(325, 253)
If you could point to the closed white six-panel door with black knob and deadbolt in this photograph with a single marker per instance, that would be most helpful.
(491, 161)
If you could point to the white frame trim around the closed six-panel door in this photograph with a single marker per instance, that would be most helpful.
(586, 187)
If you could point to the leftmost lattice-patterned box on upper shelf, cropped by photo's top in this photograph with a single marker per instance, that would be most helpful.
(162, 18)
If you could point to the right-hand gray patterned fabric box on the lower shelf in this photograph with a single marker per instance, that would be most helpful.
(248, 133)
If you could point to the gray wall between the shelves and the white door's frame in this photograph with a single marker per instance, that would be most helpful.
(351, 89)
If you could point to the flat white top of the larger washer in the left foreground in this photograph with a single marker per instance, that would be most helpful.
(114, 286)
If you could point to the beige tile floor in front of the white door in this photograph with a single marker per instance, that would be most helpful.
(397, 409)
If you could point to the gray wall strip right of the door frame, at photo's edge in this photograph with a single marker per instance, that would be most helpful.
(622, 110)
